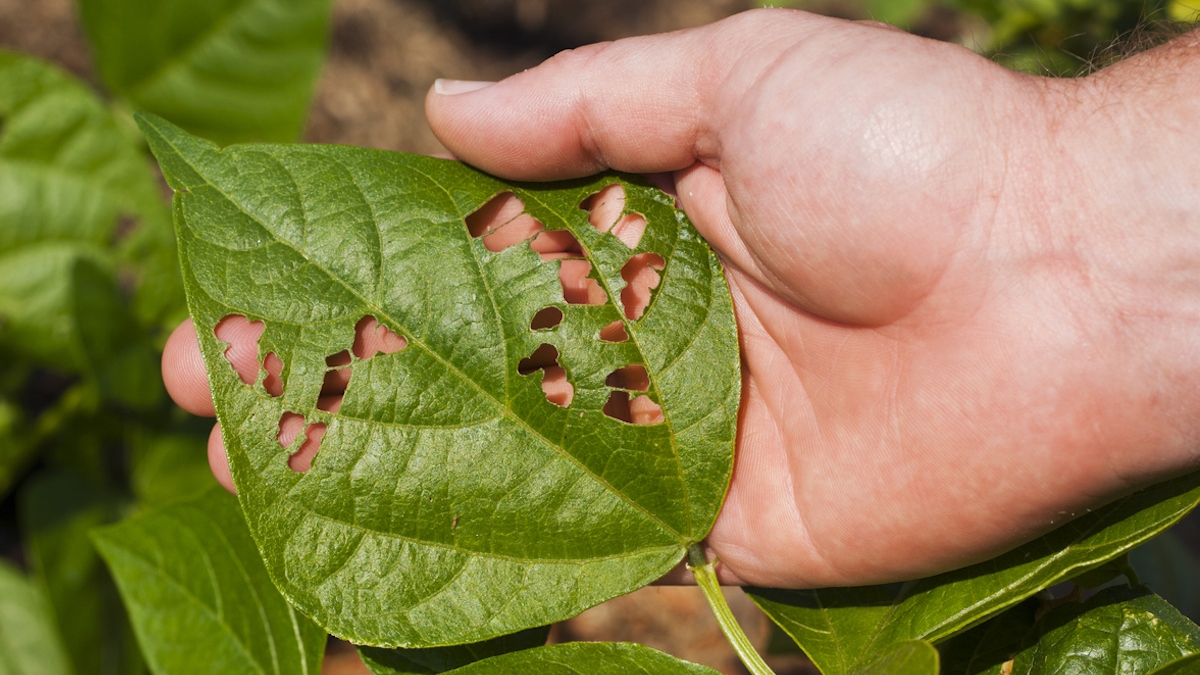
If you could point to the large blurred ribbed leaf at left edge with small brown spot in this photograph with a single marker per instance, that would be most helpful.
(75, 186)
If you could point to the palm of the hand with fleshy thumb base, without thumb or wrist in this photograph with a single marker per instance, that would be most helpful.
(916, 399)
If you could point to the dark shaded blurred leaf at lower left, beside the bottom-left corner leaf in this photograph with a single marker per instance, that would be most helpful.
(58, 510)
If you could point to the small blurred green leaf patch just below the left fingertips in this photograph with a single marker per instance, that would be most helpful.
(173, 468)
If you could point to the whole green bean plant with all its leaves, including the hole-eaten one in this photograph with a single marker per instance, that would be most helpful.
(478, 408)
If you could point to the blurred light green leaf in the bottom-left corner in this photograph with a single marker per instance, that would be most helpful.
(29, 644)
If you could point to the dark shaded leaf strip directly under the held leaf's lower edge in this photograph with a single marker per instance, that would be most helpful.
(435, 661)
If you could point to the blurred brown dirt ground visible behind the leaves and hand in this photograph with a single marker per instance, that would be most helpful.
(385, 57)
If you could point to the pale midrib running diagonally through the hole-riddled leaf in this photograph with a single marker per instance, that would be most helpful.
(371, 307)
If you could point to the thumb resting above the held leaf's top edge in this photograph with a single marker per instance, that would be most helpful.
(643, 105)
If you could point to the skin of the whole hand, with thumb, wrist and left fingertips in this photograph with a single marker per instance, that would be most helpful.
(969, 300)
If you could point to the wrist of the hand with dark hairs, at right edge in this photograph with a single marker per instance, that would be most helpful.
(1123, 189)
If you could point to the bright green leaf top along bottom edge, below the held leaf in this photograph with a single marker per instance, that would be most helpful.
(578, 659)
